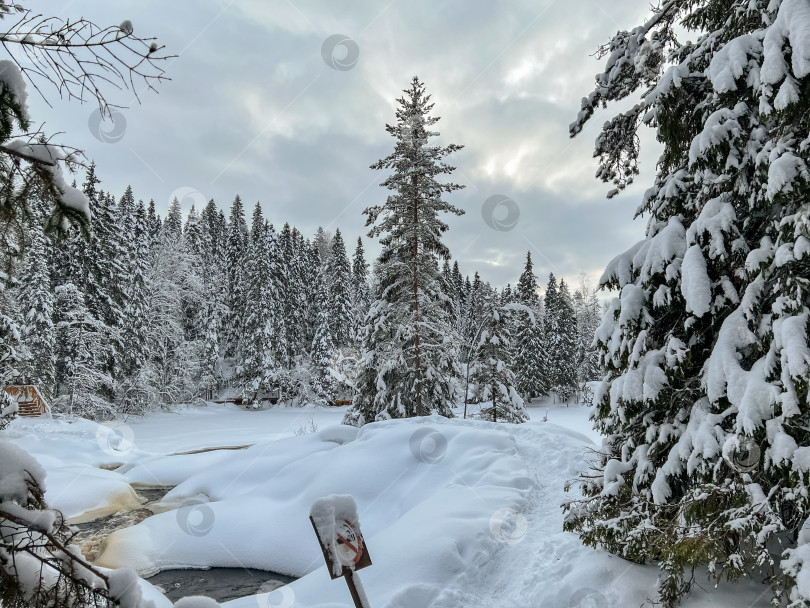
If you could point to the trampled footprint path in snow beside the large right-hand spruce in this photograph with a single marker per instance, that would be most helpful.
(548, 568)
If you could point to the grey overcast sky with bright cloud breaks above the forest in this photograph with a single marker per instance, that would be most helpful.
(253, 108)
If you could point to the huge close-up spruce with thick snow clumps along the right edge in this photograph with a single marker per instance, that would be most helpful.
(705, 406)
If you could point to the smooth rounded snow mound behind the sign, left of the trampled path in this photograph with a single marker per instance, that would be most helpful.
(426, 512)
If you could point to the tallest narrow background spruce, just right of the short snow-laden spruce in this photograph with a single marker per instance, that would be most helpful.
(530, 355)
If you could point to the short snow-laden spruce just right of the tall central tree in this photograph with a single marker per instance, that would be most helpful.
(491, 369)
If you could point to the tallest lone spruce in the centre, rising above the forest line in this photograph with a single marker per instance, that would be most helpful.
(410, 357)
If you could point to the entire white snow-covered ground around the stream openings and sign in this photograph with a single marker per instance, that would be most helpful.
(455, 512)
